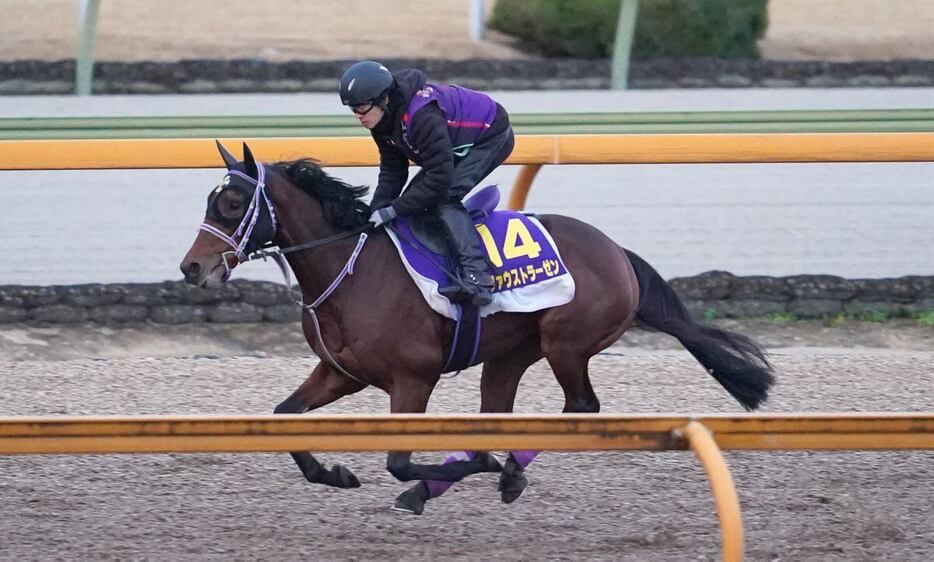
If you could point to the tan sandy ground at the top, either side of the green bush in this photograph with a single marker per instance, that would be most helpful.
(339, 29)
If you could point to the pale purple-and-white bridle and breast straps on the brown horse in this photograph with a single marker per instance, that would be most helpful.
(268, 250)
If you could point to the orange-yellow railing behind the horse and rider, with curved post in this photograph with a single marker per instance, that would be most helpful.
(531, 150)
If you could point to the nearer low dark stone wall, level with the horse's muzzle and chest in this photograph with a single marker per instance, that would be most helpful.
(713, 294)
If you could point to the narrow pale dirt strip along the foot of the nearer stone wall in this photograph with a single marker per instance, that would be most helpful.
(69, 342)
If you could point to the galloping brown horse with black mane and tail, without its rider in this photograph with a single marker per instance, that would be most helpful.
(365, 319)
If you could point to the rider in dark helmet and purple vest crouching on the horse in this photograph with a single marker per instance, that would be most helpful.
(457, 136)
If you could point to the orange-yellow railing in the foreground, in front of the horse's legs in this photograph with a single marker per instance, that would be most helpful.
(705, 435)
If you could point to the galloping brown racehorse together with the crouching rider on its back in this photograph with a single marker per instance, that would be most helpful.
(458, 136)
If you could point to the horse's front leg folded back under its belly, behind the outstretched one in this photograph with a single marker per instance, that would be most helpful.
(410, 396)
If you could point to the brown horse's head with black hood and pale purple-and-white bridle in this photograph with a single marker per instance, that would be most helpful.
(240, 218)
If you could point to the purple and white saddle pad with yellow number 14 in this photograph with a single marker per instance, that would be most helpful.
(528, 269)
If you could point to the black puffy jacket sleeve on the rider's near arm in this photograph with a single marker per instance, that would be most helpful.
(430, 139)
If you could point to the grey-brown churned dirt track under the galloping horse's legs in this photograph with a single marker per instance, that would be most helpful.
(620, 506)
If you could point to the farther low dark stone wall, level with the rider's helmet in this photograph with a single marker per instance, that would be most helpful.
(241, 76)
